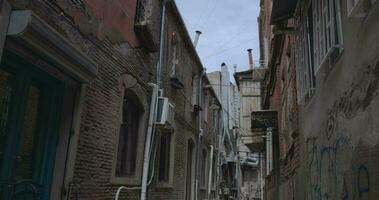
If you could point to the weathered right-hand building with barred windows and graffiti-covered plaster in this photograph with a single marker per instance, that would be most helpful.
(322, 82)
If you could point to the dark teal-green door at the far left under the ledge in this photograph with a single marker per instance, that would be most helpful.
(30, 102)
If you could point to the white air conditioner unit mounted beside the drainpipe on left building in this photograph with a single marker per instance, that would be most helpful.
(165, 112)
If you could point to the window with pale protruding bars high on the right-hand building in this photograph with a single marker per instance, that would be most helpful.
(319, 43)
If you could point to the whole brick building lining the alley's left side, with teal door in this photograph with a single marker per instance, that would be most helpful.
(102, 100)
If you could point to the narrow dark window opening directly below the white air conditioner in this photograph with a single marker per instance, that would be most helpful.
(164, 157)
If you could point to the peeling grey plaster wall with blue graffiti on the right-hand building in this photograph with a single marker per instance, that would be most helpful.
(340, 124)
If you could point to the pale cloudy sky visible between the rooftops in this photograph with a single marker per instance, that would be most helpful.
(229, 28)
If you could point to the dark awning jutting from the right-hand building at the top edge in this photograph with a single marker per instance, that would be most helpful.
(282, 10)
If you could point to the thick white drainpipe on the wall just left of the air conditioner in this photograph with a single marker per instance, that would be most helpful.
(149, 136)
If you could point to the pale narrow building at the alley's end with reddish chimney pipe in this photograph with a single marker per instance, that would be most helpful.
(250, 143)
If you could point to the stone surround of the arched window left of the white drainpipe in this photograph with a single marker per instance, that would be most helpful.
(127, 83)
